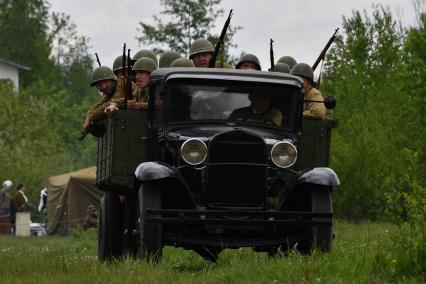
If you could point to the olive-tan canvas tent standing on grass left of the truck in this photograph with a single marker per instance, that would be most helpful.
(69, 196)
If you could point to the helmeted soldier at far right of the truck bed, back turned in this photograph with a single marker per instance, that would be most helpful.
(314, 109)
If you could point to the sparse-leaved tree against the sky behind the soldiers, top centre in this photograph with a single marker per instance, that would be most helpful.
(189, 20)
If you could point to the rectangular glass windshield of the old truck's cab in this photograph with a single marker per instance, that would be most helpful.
(193, 100)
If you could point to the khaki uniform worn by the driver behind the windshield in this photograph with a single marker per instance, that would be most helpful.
(270, 116)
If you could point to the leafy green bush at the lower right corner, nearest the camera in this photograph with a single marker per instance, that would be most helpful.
(405, 255)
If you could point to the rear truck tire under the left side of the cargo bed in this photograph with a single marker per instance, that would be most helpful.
(110, 237)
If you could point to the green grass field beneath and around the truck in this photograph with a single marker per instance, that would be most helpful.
(73, 260)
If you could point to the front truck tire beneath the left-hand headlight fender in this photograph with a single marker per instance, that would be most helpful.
(150, 234)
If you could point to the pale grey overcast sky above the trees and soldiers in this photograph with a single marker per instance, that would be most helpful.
(300, 28)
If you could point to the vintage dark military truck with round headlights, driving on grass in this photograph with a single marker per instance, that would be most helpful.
(185, 174)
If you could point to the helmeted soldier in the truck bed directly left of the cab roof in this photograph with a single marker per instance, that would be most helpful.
(142, 72)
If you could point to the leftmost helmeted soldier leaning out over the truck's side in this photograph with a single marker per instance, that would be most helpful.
(106, 81)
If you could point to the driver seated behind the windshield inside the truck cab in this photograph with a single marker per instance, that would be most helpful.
(258, 111)
